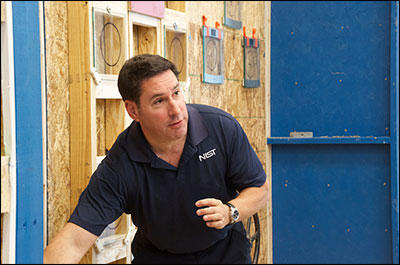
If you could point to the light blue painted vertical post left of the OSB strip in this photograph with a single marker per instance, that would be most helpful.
(28, 118)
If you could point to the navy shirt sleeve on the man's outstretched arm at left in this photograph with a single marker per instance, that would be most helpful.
(102, 201)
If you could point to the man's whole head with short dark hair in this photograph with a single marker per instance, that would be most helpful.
(153, 97)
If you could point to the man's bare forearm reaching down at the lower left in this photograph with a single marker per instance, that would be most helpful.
(69, 245)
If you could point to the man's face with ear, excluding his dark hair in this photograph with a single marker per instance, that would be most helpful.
(162, 113)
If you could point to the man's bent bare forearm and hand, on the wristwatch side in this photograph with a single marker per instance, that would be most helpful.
(248, 202)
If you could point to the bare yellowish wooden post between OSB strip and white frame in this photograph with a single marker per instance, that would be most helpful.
(80, 101)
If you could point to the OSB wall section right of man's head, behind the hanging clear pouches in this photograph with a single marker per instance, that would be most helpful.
(247, 105)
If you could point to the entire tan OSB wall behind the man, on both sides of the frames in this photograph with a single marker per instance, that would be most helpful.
(248, 105)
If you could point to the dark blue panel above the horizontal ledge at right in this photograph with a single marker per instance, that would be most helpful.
(320, 84)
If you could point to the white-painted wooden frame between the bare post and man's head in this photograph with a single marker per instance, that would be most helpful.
(115, 241)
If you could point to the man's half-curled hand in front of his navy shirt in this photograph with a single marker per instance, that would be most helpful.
(215, 214)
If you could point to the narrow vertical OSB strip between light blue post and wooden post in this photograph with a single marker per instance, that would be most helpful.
(58, 125)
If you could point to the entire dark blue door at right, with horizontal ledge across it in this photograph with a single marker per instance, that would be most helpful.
(334, 132)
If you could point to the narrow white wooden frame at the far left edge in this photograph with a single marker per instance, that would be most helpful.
(8, 236)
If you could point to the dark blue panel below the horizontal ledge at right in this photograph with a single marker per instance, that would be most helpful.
(331, 204)
